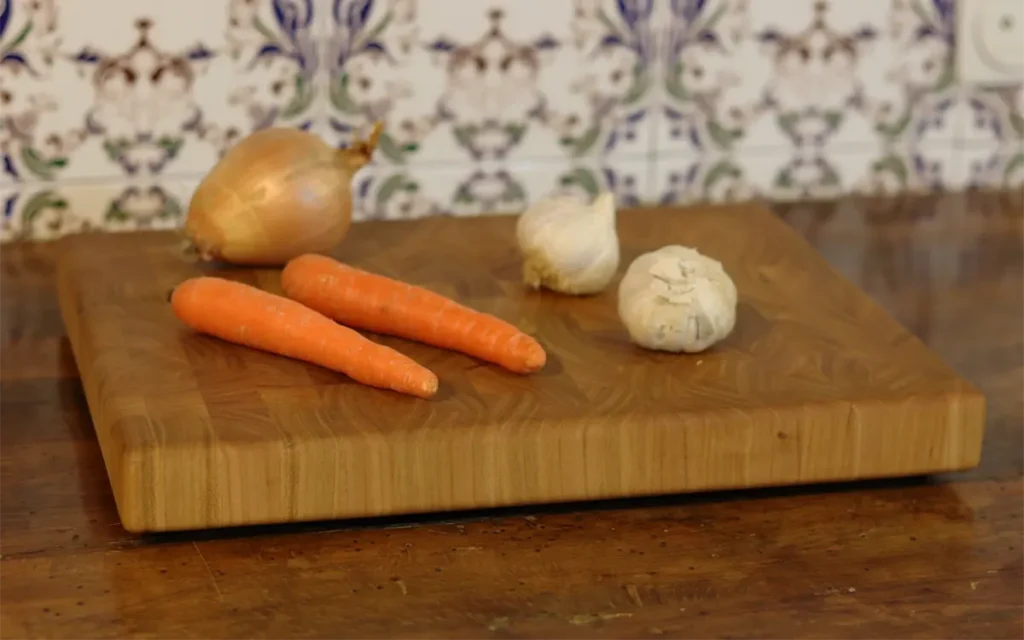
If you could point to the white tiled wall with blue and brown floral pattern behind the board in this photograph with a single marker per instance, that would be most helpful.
(111, 111)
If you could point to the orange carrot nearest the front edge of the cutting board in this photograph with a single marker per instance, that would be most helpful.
(247, 316)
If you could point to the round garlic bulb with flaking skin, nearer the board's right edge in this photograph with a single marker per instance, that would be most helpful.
(675, 300)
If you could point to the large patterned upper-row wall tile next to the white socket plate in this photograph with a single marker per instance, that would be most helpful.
(743, 76)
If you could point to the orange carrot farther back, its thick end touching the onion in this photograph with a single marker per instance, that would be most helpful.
(377, 304)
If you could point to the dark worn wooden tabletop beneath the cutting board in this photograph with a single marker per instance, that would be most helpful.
(936, 558)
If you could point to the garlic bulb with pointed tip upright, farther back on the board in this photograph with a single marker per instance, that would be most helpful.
(570, 246)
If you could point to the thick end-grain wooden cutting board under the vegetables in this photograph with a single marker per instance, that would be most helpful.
(817, 383)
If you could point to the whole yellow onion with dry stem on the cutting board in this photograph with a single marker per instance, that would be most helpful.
(276, 195)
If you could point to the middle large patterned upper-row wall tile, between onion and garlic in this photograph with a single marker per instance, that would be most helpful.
(470, 81)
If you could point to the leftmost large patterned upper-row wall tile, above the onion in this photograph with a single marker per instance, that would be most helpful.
(125, 90)
